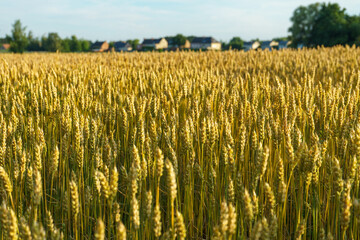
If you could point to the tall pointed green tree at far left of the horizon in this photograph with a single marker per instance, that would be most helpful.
(18, 40)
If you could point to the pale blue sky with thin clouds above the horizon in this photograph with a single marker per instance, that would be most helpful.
(114, 20)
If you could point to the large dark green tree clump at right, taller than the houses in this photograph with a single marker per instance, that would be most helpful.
(321, 24)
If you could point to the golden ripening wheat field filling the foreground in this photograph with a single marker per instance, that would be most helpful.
(181, 145)
